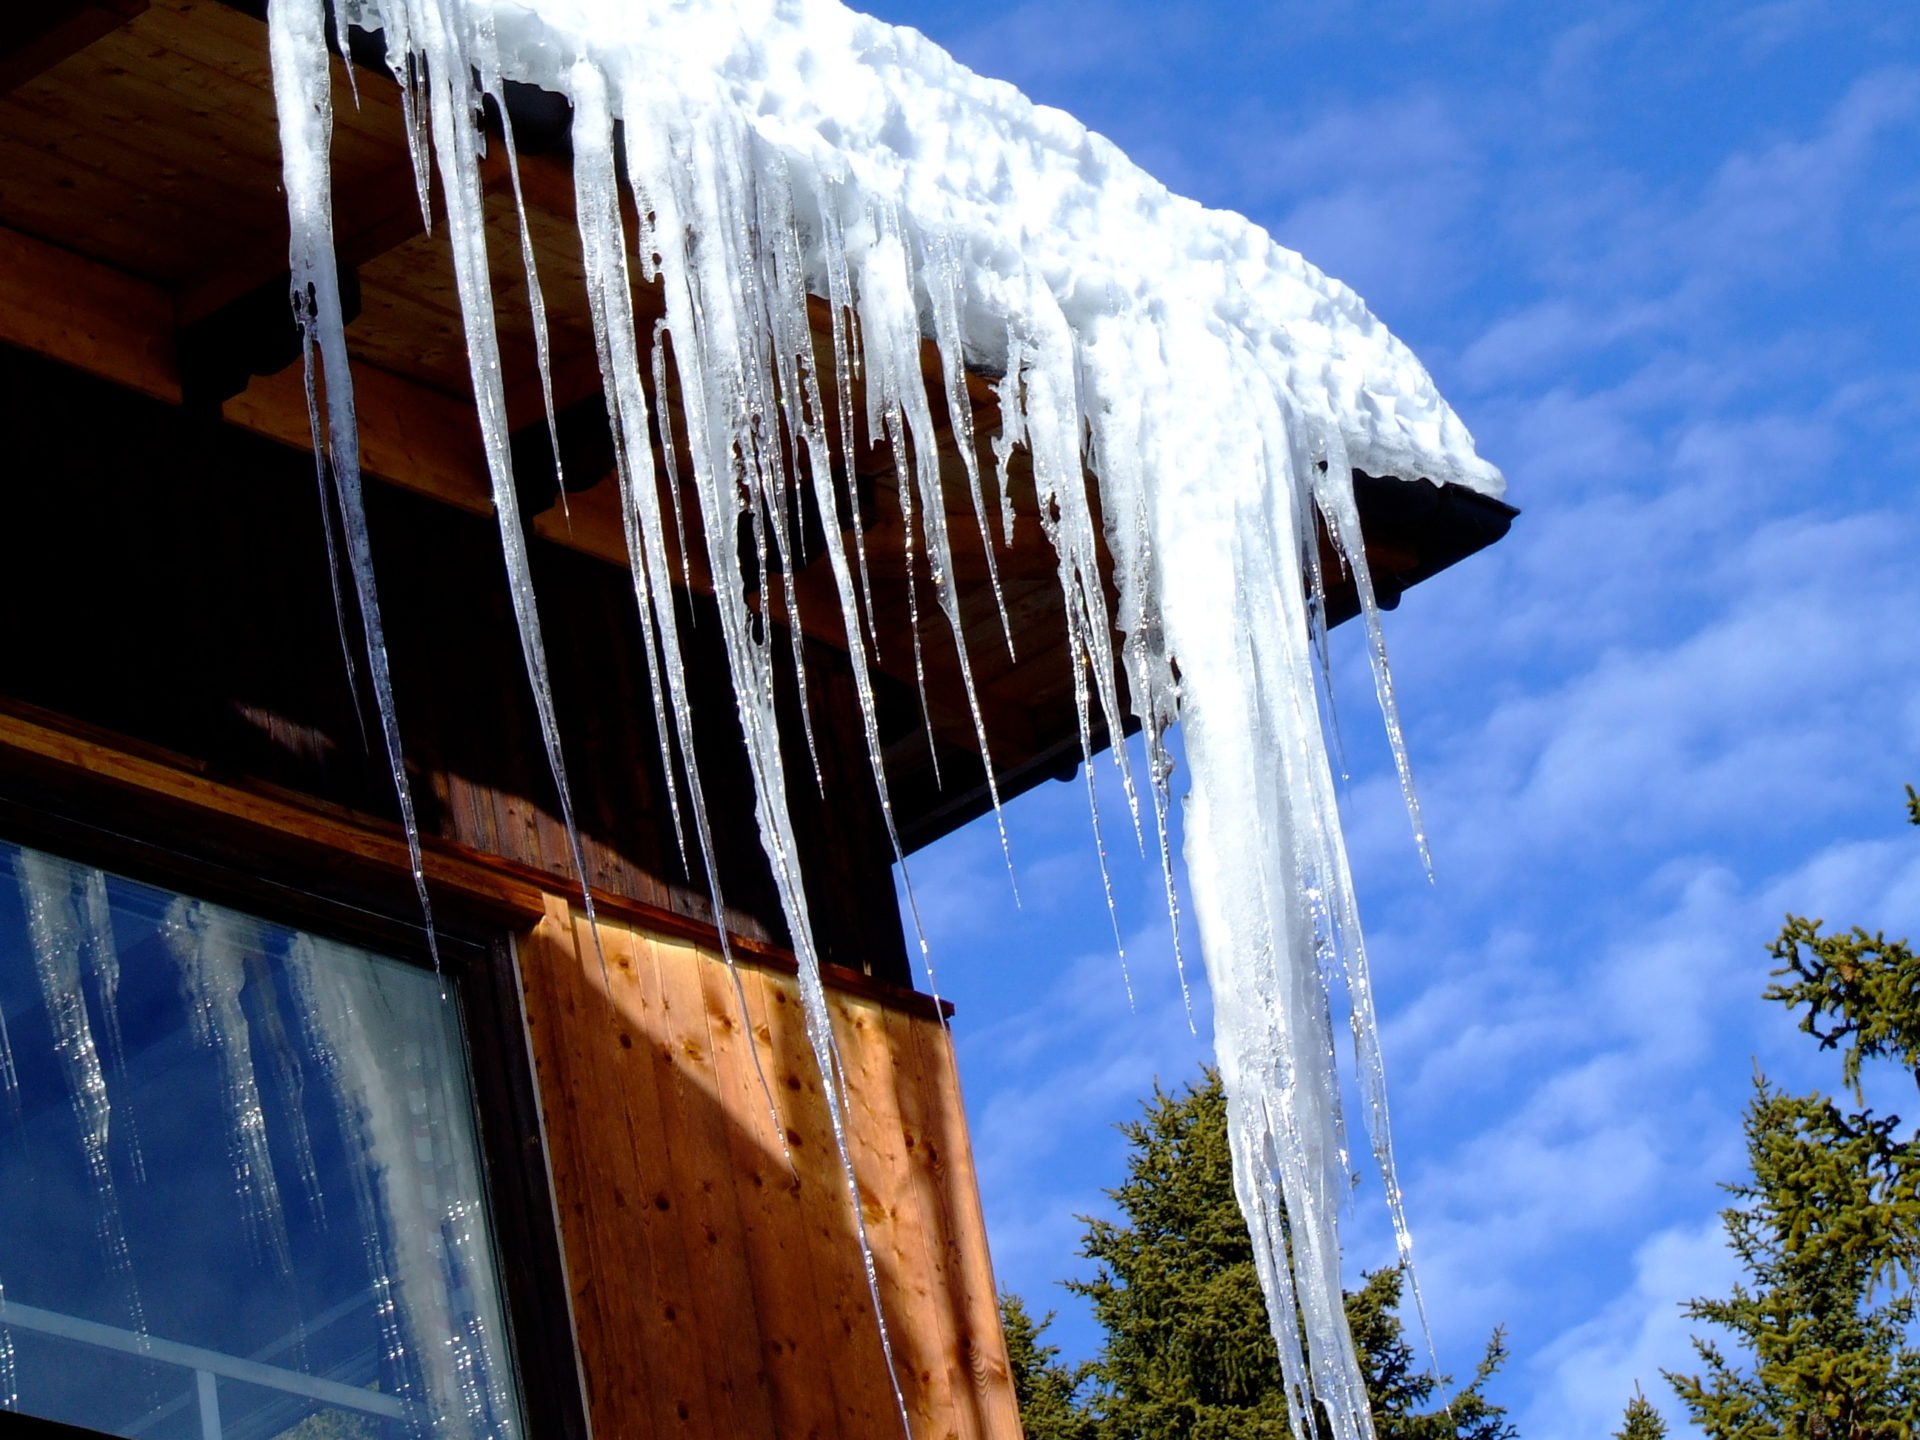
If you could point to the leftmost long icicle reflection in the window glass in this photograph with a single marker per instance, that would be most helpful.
(60, 934)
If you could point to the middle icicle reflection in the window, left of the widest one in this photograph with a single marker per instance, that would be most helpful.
(212, 949)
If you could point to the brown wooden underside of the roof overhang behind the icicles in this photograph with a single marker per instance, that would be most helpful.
(145, 239)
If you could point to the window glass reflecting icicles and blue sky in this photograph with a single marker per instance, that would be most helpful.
(239, 1178)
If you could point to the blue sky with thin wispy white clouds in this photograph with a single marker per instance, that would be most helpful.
(1664, 260)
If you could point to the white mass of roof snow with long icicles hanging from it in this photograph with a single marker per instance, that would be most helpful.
(1218, 387)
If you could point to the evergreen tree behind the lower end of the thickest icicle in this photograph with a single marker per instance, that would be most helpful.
(1189, 1355)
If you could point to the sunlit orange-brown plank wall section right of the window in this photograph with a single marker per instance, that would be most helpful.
(717, 1274)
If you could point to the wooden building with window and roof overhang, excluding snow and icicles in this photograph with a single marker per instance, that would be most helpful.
(669, 1234)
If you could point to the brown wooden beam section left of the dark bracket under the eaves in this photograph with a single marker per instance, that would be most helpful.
(85, 316)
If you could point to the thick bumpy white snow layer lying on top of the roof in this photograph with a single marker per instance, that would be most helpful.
(1019, 189)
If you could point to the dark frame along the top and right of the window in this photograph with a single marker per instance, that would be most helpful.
(479, 959)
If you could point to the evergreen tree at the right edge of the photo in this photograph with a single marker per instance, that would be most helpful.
(1829, 1226)
